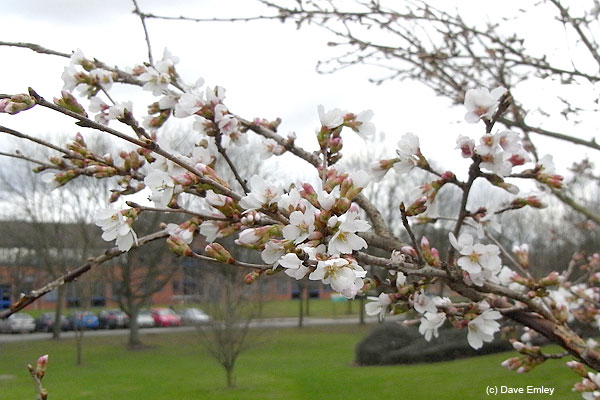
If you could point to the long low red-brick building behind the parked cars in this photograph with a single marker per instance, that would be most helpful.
(31, 255)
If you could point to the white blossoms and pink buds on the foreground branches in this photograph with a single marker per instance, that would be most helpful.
(317, 230)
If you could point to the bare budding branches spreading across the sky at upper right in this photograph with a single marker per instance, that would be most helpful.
(448, 51)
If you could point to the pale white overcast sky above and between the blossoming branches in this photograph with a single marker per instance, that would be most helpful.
(268, 68)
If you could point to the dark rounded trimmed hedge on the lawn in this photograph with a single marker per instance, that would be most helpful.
(393, 343)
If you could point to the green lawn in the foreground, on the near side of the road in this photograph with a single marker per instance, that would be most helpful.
(288, 364)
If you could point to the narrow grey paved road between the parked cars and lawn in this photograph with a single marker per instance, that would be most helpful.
(257, 323)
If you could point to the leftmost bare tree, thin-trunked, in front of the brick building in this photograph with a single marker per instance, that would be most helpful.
(52, 227)
